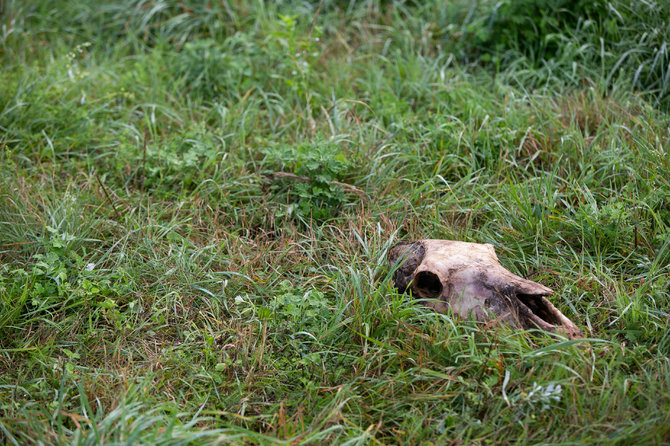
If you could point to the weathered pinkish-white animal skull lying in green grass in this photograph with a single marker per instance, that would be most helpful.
(468, 279)
